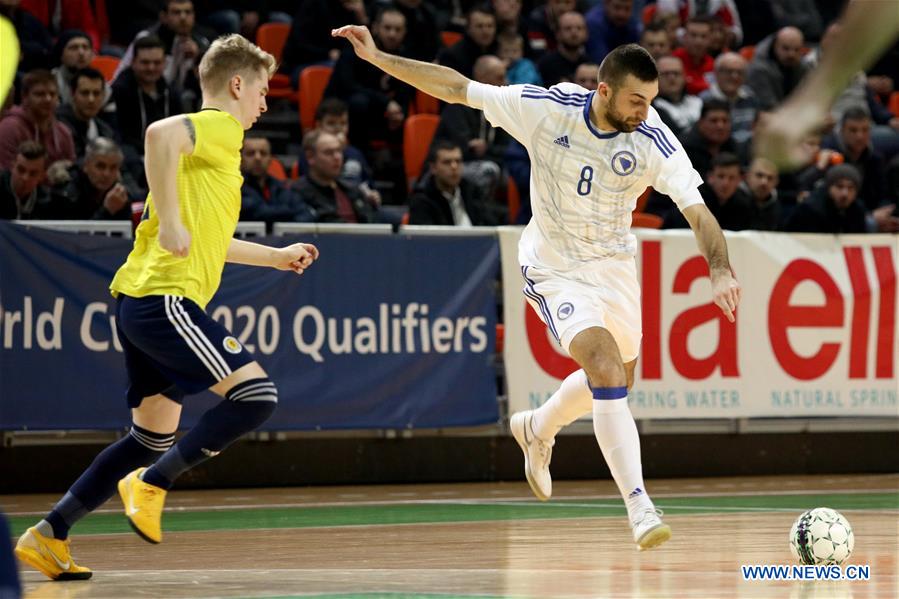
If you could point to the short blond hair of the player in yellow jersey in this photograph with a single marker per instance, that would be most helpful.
(232, 55)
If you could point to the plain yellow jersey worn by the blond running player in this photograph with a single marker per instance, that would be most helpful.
(209, 182)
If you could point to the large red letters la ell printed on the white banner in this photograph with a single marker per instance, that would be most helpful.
(782, 316)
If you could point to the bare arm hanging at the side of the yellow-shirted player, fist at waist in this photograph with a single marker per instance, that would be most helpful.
(165, 142)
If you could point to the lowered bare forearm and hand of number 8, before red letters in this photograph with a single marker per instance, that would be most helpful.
(725, 288)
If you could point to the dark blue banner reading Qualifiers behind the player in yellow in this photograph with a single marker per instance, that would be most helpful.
(382, 332)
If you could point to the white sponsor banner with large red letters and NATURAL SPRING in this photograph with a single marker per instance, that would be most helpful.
(816, 331)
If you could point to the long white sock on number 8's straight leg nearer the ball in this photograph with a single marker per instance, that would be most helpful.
(616, 433)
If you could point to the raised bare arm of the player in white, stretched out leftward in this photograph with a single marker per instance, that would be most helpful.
(436, 80)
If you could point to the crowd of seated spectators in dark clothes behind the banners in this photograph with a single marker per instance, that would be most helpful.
(71, 136)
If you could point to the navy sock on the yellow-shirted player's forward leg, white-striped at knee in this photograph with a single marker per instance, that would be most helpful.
(245, 407)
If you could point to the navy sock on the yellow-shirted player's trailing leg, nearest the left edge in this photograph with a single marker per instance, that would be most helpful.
(98, 482)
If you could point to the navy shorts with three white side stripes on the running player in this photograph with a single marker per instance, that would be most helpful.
(173, 347)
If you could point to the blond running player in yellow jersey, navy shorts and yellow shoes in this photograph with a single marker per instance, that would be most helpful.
(172, 348)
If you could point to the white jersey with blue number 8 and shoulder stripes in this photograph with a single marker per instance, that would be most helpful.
(584, 182)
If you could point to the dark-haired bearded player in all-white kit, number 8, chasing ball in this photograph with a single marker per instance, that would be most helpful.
(592, 154)
